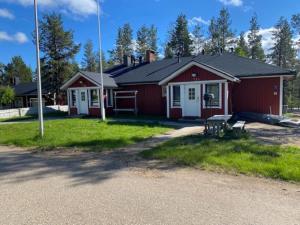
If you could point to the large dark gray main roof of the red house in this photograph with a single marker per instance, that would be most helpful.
(225, 63)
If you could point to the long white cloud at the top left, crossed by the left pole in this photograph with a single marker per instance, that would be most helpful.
(77, 7)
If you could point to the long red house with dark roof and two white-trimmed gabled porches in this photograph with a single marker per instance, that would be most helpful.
(176, 87)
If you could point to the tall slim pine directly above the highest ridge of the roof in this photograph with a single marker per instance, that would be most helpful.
(223, 25)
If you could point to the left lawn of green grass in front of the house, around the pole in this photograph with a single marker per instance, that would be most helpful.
(89, 134)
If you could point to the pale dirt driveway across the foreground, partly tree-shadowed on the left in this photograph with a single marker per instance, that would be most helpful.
(111, 188)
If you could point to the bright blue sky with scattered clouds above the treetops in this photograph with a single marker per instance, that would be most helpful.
(17, 24)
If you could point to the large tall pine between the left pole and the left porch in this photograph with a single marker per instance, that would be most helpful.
(58, 50)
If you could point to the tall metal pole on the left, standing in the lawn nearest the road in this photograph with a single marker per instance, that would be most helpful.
(39, 83)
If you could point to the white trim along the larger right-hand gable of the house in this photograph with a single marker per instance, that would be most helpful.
(189, 65)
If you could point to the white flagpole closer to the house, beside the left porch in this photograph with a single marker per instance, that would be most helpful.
(100, 64)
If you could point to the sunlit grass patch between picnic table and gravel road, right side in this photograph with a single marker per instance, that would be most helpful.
(243, 155)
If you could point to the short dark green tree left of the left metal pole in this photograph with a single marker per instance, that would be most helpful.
(17, 69)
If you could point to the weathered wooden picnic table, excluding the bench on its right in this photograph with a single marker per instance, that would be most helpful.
(215, 124)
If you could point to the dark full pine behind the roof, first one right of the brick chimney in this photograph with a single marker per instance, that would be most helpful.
(180, 41)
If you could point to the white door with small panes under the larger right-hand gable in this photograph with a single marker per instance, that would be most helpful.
(192, 100)
